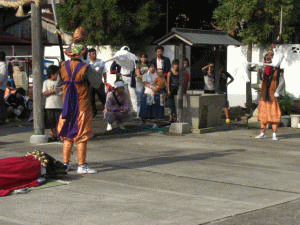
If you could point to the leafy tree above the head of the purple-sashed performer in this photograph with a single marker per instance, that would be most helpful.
(112, 22)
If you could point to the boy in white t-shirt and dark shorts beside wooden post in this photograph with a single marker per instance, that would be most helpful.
(54, 103)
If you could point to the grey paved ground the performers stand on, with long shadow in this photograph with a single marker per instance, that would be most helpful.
(148, 177)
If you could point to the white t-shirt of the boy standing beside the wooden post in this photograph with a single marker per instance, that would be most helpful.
(53, 101)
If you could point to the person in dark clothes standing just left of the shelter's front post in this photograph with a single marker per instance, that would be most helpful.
(172, 89)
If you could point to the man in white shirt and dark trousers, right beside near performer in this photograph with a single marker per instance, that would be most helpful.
(99, 66)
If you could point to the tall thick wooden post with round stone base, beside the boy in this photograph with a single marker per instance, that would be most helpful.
(36, 44)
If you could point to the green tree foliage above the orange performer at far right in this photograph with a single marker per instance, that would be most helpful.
(257, 21)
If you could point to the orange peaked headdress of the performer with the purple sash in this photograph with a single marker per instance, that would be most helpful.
(78, 46)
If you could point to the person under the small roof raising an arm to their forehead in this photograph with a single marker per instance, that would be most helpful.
(209, 78)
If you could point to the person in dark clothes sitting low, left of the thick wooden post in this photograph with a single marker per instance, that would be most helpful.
(16, 105)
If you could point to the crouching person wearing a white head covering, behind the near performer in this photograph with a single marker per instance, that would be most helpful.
(117, 107)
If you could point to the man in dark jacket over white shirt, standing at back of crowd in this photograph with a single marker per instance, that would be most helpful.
(160, 61)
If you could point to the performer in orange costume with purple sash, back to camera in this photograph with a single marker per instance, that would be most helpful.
(75, 124)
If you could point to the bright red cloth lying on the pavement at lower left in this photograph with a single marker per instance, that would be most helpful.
(17, 173)
